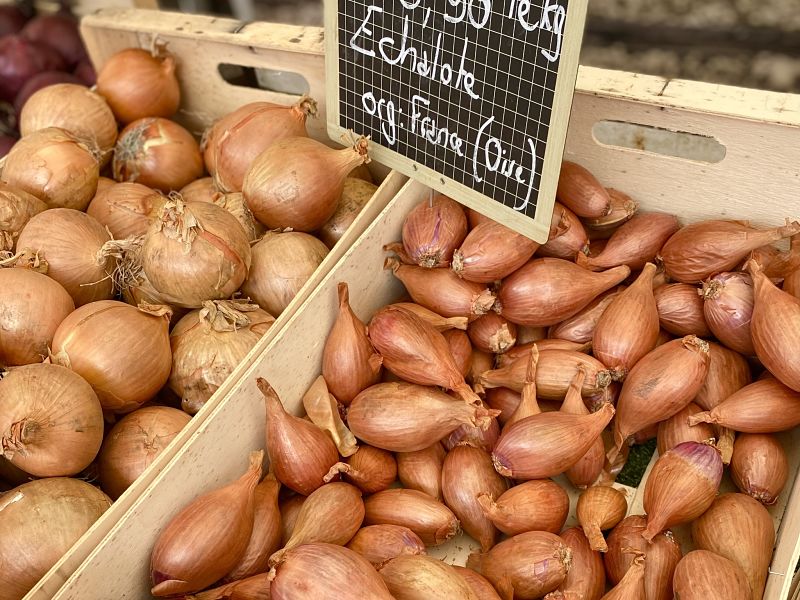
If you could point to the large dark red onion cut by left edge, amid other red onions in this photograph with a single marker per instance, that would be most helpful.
(20, 59)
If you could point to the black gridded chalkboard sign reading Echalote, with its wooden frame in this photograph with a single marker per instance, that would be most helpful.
(471, 97)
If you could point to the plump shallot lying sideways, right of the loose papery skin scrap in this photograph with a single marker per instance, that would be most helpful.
(404, 417)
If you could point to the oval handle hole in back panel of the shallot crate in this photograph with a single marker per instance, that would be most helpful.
(656, 140)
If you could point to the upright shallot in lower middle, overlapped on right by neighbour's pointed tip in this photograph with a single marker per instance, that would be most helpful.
(466, 473)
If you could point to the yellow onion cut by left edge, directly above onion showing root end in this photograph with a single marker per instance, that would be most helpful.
(33, 307)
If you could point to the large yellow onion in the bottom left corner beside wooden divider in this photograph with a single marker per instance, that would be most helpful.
(51, 513)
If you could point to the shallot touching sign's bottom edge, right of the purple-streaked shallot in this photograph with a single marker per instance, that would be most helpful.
(490, 252)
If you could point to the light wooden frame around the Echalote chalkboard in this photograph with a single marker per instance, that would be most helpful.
(537, 227)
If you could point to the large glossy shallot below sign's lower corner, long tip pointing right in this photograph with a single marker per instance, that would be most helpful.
(548, 290)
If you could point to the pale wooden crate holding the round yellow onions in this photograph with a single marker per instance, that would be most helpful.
(200, 45)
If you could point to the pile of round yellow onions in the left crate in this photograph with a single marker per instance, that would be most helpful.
(127, 298)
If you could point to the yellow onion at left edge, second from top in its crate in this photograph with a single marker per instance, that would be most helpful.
(55, 166)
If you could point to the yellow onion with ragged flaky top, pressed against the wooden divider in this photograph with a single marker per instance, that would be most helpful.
(208, 344)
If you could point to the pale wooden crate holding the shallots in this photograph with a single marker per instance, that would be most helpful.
(758, 179)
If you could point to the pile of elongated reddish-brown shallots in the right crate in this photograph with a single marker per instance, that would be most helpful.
(512, 364)
